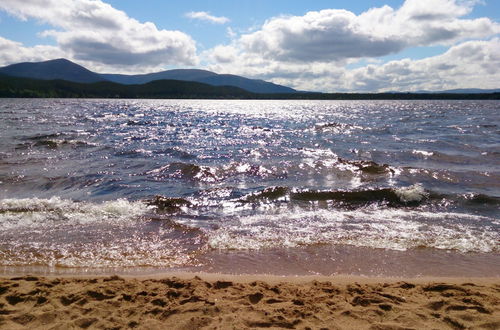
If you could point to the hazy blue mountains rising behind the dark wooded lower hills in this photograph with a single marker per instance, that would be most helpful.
(64, 69)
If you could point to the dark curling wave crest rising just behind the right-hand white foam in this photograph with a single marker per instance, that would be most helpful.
(225, 202)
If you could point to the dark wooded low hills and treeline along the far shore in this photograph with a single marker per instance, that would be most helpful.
(15, 87)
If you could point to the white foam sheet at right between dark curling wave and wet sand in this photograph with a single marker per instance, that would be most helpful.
(395, 229)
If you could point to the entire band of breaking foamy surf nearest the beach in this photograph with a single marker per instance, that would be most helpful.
(162, 231)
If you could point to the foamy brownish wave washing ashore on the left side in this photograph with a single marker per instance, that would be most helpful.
(56, 232)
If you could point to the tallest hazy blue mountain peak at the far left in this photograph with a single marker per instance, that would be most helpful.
(53, 69)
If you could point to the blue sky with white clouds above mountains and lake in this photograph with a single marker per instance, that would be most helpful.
(321, 45)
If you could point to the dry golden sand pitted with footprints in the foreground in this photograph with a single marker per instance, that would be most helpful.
(222, 302)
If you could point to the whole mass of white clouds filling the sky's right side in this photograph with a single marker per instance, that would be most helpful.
(312, 52)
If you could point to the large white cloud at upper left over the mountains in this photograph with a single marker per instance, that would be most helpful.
(98, 35)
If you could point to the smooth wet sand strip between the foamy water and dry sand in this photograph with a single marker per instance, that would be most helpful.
(320, 262)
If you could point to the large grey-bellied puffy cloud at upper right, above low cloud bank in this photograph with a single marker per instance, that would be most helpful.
(331, 34)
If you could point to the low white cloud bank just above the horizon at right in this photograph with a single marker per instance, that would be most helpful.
(469, 64)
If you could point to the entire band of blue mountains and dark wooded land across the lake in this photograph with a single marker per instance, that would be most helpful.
(63, 78)
